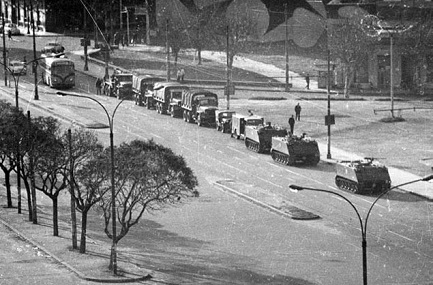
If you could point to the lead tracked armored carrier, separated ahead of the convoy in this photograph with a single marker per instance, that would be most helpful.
(365, 176)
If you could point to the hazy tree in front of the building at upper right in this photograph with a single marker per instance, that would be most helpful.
(350, 46)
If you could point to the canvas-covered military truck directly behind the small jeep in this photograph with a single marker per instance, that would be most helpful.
(199, 106)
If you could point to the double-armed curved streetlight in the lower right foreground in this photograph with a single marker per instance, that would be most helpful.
(363, 223)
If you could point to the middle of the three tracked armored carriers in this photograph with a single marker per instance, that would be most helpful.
(291, 150)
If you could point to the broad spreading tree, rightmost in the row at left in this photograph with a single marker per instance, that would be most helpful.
(148, 177)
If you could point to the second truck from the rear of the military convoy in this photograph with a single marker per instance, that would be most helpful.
(142, 87)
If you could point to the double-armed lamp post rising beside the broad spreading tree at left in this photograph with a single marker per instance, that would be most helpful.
(113, 191)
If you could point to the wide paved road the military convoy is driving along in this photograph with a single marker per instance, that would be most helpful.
(224, 238)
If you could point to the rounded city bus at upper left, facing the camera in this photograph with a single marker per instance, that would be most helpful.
(58, 72)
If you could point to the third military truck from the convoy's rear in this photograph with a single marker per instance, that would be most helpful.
(168, 97)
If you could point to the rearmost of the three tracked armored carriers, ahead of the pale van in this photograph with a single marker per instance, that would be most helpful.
(259, 138)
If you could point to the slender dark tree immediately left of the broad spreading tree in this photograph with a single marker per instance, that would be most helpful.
(89, 176)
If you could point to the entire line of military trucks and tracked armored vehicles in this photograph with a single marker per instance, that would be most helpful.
(200, 106)
